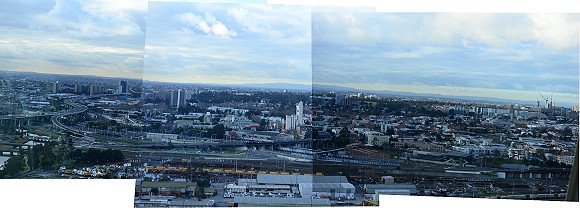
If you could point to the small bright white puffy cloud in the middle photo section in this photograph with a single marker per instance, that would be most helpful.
(208, 24)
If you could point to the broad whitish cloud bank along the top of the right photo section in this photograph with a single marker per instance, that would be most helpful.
(554, 31)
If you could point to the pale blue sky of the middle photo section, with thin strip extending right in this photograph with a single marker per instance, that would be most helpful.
(229, 43)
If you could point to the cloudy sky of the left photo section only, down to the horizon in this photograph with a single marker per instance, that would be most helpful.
(98, 37)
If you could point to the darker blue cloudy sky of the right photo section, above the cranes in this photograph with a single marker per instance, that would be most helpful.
(506, 56)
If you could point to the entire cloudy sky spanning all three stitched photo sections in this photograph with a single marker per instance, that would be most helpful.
(490, 55)
